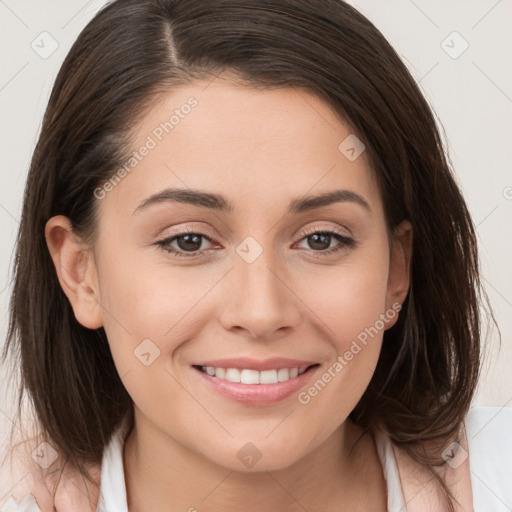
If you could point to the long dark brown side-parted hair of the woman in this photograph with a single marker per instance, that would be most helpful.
(134, 50)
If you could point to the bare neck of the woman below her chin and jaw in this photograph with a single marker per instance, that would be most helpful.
(161, 474)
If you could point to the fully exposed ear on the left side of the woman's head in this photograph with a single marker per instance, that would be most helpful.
(76, 271)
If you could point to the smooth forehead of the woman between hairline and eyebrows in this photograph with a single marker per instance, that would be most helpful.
(255, 146)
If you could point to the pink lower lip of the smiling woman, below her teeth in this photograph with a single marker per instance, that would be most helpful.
(257, 394)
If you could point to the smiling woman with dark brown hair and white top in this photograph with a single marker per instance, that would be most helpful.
(245, 274)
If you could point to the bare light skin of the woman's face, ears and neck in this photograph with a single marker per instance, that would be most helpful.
(260, 150)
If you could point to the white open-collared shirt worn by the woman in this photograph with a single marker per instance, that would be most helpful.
(489, 434)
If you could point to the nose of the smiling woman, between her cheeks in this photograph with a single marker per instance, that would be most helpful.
(259, 299)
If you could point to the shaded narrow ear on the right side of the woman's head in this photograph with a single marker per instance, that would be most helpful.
(399, 269)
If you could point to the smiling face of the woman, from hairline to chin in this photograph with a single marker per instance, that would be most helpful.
(206, 255)
